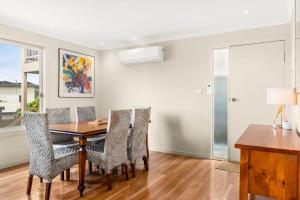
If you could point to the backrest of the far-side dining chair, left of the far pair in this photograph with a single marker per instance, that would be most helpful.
(59, 116)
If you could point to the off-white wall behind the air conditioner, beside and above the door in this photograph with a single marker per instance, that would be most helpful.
(181, 119)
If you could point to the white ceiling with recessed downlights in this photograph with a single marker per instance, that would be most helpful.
(105, 24)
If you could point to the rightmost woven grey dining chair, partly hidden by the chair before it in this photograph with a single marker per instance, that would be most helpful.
(137, 147)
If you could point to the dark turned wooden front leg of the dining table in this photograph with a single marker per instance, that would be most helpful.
(82, 161)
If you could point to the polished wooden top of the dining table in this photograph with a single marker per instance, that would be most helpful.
(78, 128)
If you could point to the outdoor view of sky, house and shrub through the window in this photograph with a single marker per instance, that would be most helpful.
(14, 61)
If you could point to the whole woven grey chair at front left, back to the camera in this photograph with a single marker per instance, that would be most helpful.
(45, 162)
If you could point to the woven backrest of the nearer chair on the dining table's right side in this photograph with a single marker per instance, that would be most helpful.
(116, 138)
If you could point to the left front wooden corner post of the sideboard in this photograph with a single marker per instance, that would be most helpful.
(244, 167)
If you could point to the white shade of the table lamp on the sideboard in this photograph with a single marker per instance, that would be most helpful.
(281, 96)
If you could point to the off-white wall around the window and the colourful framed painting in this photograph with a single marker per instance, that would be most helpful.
(13, 143)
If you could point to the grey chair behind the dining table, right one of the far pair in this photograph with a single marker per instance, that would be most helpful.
(84, 114)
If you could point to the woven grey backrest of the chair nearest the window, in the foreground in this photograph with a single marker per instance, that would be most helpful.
(40, 144)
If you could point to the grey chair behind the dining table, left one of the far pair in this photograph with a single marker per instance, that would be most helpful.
(61, 116)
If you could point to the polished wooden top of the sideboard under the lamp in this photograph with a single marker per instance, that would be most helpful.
(266, 138)
